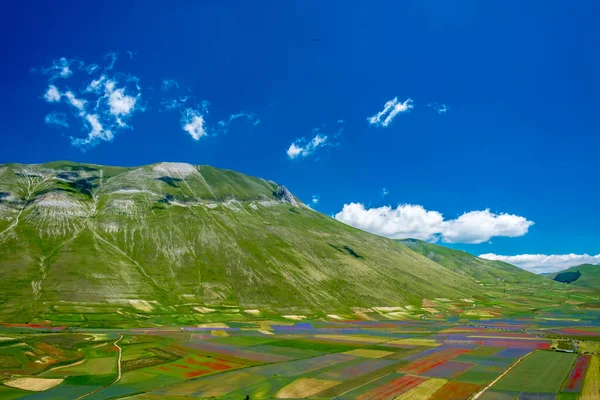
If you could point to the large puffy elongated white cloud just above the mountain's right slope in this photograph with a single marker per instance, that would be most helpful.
(414, 221)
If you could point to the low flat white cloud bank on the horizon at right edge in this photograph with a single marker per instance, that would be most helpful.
(539, 263)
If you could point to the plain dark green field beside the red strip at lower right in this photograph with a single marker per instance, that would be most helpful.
(540, 372)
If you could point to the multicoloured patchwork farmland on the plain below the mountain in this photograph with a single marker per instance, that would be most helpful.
(321, 359)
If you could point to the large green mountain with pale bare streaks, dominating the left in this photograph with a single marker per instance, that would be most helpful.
(172, 237)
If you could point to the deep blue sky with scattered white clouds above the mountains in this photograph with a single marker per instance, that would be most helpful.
(496, 107)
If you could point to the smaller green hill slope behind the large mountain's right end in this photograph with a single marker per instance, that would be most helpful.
(463, 263)
